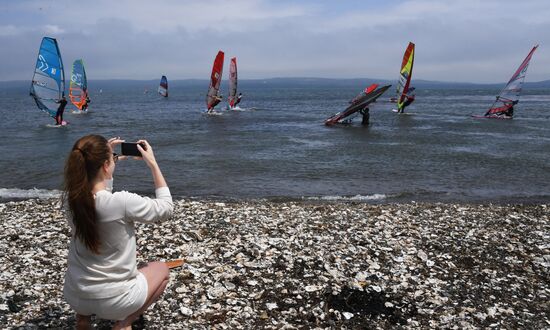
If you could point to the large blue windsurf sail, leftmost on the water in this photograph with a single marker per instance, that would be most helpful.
(48, 81)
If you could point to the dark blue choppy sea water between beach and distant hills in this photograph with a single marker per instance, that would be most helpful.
(280, 149)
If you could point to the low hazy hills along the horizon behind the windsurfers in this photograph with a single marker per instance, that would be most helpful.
(284, 82)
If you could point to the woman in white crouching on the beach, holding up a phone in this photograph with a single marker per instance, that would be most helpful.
(102, 276)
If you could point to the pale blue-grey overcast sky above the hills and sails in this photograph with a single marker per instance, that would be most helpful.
(456, 40)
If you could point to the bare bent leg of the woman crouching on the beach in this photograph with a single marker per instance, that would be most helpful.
(157, 275)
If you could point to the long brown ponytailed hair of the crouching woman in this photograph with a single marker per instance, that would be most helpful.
(87, 157)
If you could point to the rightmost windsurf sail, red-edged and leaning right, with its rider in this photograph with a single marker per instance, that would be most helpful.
(509, 95)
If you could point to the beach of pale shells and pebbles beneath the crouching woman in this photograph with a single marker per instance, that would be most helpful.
(303, 265)
